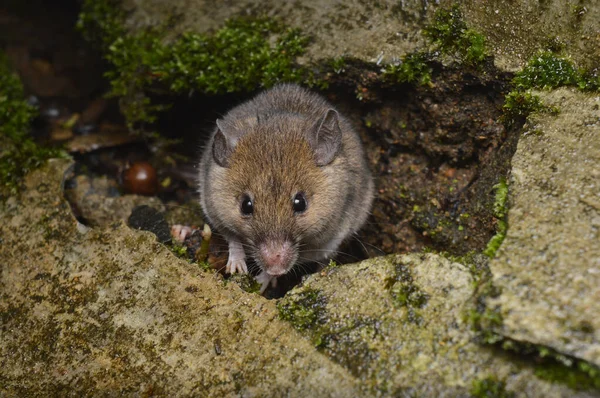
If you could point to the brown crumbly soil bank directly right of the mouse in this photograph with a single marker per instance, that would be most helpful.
(436, 152)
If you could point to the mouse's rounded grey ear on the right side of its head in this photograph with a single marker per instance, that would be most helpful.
(325, 137)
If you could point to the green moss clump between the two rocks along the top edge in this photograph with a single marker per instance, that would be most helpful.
(450, 34)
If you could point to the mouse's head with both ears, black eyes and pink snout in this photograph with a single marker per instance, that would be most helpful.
(278, 185)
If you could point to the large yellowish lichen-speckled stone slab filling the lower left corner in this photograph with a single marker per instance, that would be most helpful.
(106, 312)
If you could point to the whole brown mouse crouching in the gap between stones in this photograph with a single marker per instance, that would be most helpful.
(285, 179)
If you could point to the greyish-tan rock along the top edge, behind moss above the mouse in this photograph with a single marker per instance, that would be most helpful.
(363, 30)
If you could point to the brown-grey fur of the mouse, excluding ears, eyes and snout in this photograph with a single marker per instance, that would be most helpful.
(272, 161)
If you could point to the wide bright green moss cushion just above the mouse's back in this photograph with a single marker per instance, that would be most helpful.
(237, 57)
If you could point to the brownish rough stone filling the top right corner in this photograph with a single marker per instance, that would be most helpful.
(516, 30)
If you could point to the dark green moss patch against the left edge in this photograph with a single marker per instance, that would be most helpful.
(19, 154)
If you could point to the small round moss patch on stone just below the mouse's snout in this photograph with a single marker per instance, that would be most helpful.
(304, 310)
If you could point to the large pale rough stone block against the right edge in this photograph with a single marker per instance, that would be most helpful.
(548, 268)
